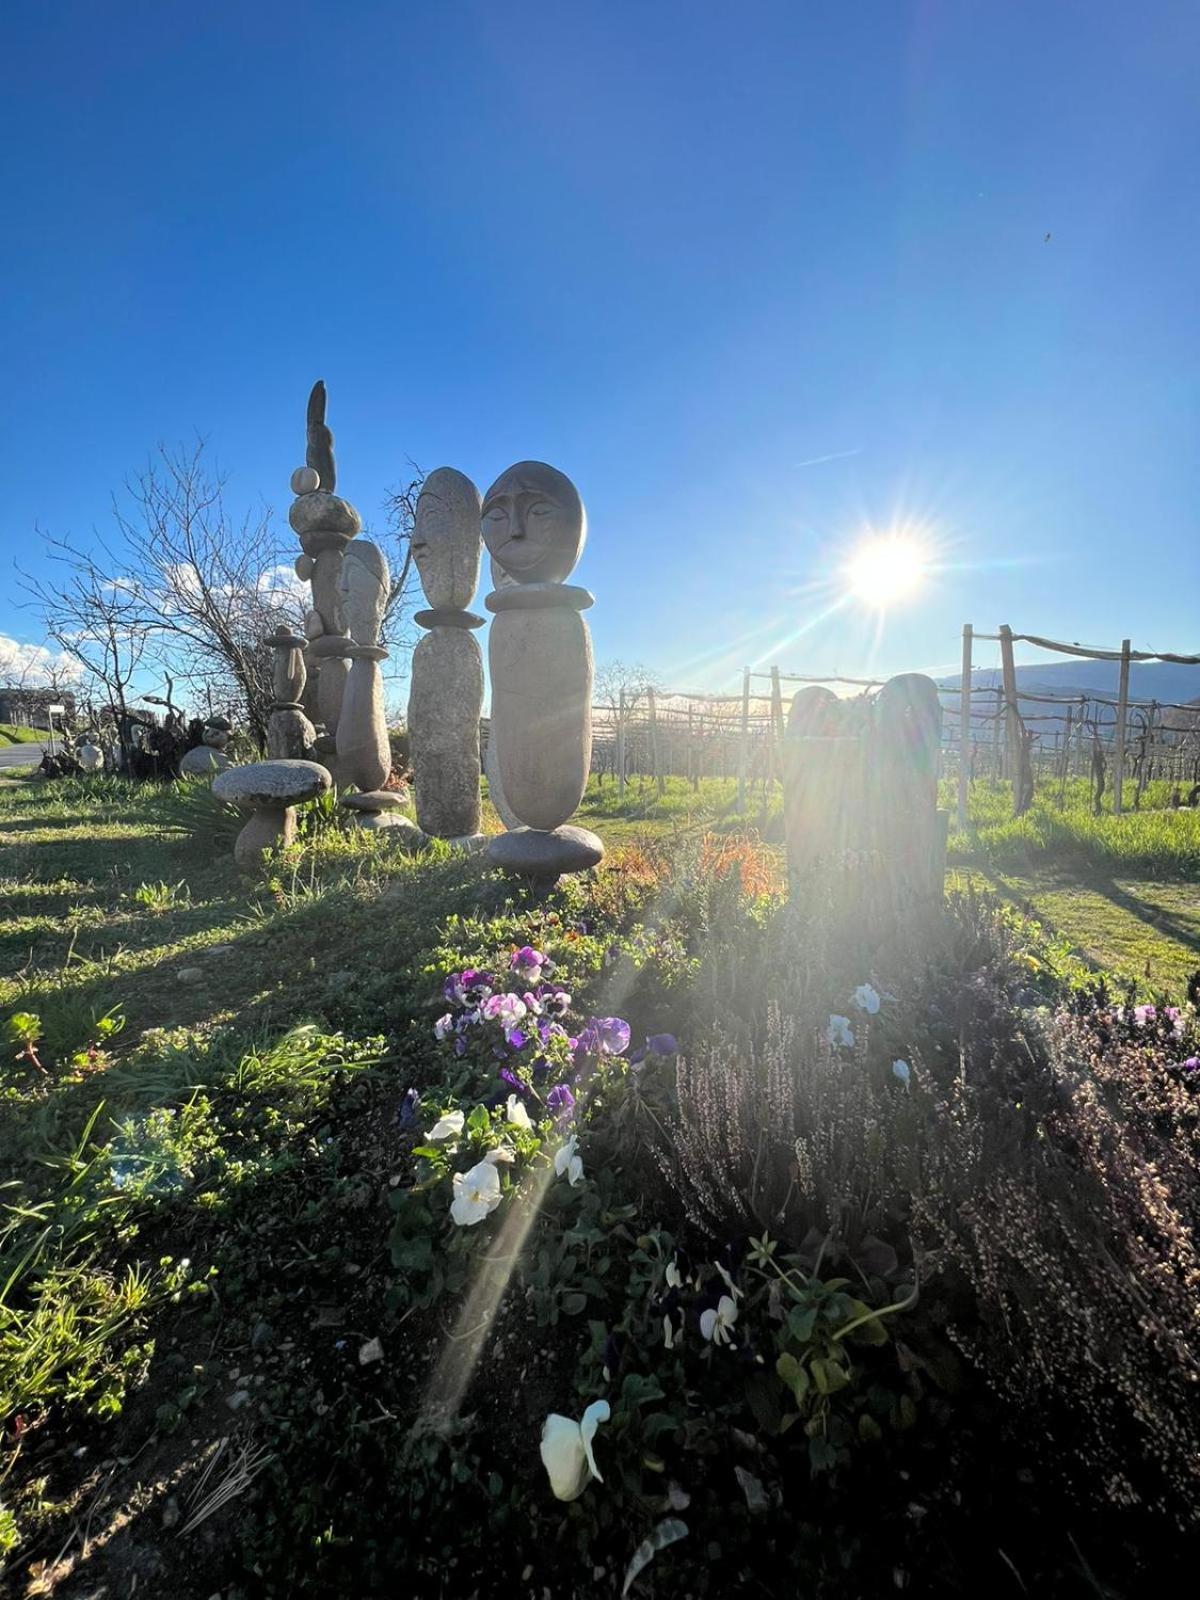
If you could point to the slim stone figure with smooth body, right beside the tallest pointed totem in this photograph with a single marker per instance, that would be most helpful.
(364, 753)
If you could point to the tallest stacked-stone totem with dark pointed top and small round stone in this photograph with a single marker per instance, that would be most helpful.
(326, 526)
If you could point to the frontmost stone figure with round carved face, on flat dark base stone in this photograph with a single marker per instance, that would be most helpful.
(540, 655)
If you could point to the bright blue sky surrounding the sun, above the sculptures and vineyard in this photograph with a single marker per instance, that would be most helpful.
(759, 278)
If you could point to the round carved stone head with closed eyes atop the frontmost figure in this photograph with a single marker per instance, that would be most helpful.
(535, 524)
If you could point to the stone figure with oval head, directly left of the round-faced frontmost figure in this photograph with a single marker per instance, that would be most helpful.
(446, 697)
